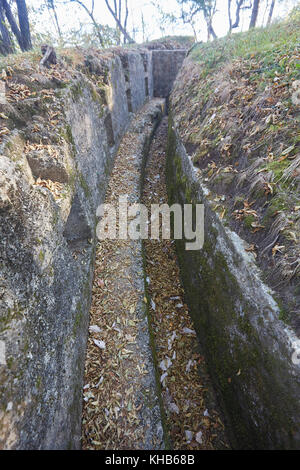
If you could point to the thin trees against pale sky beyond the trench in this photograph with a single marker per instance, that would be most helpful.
(22, 22)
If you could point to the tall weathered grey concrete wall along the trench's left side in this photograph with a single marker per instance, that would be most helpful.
(49, 194)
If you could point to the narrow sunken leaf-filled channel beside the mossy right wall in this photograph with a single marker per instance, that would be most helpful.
(192, 419)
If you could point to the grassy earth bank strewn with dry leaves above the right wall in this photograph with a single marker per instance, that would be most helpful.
(243, 134)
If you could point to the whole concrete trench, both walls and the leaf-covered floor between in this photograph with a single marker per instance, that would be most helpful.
(128, 343)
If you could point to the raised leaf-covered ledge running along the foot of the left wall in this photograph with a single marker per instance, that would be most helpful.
(121, 408)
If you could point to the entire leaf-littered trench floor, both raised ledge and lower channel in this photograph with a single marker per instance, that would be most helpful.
(115, 398)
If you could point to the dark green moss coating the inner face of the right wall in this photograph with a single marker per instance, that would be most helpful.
(242, 368)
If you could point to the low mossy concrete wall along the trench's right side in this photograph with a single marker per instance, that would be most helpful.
(250, 351)
